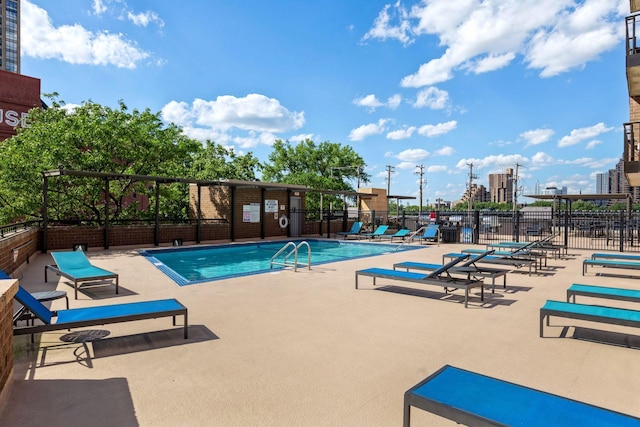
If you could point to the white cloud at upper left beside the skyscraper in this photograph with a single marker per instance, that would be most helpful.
(73, 43)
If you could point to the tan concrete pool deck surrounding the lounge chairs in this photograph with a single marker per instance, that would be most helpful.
(308, 349)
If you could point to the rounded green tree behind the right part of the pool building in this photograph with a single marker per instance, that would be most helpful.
(327, 166)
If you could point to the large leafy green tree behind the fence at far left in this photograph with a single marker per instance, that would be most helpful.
(93, 138)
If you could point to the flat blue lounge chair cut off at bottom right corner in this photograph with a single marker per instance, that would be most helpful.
(470, 398)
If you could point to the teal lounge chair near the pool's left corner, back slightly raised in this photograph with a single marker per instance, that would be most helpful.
(75, 266)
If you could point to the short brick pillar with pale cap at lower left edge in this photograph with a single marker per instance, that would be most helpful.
(8, 288)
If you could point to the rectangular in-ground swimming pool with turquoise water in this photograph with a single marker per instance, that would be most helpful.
(190, 265)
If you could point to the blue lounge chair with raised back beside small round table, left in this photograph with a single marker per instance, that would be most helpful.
(91, 316)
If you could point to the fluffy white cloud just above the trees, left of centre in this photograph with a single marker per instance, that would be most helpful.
(259, 117)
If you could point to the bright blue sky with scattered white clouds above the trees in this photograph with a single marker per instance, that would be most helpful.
(539, 83)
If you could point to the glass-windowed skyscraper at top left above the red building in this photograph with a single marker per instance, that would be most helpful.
(10, 35)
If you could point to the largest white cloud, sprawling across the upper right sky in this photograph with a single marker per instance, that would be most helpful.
(480, 36)
